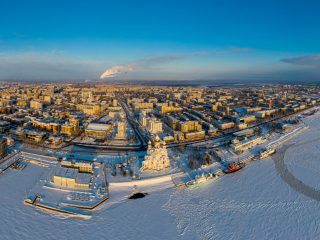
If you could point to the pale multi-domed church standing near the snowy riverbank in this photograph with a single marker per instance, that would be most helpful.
(157, 157)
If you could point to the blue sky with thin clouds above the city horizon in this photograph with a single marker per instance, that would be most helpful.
(148, 40)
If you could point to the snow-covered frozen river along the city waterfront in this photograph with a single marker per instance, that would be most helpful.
(254, 203)
